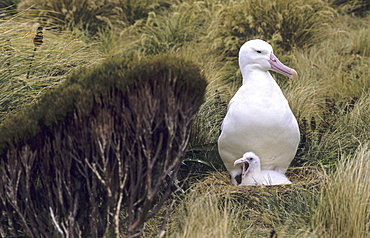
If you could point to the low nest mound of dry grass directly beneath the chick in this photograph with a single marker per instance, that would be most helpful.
(305, 182)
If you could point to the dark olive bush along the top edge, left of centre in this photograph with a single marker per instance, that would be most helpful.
(89, 15)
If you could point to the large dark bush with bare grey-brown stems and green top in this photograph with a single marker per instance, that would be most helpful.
(98, 155)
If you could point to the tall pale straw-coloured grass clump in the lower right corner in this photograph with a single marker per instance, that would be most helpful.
(344, 203)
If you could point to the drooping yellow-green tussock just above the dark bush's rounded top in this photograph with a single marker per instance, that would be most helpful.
(169, 32)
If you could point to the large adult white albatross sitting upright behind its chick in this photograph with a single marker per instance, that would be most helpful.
(259, 118)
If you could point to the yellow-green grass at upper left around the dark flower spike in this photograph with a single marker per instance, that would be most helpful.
(26, 73)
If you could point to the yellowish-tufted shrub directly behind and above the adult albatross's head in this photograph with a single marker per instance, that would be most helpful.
(288, 24)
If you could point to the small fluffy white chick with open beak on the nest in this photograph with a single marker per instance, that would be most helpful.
(253, 175)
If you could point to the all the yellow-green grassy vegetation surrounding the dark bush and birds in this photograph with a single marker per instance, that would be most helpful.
(326, 41)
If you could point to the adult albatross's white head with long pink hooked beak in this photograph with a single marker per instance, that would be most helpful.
(258, 54)
